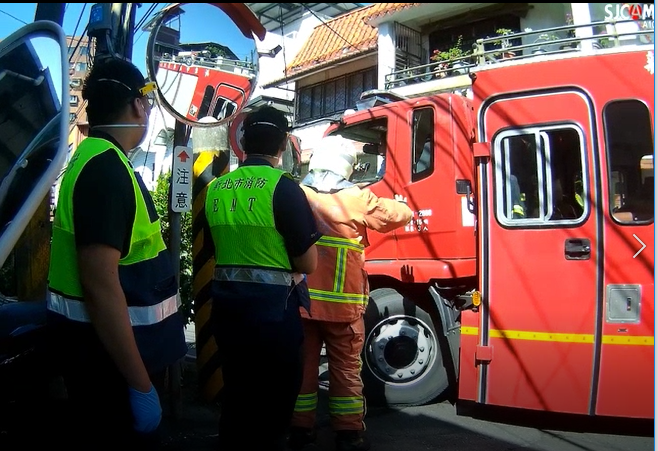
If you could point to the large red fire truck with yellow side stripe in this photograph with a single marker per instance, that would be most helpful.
(525, 278)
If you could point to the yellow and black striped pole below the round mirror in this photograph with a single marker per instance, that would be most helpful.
(211, 159)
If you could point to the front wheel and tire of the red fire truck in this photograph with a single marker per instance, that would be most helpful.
(402, 360)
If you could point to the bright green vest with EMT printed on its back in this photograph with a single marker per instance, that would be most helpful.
(239, 210)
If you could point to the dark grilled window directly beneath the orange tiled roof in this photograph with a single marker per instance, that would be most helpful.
(334, 96)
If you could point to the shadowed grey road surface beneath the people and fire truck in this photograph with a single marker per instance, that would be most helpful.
(432, 427)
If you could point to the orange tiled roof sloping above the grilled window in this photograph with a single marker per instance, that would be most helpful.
(341, 38)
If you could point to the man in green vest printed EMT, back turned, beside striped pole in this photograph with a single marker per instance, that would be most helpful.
(264, 235)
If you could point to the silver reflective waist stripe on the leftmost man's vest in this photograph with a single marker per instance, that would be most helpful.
(139, 316)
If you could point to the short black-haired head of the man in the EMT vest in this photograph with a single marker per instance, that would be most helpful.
(265, 129)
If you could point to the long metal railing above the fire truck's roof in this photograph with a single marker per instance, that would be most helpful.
(543, 42)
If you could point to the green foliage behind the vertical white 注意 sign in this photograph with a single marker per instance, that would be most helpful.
(161, 200)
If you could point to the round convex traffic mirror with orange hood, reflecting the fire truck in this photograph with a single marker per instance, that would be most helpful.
(203, 59)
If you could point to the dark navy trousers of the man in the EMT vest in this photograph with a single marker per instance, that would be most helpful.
(259, 346)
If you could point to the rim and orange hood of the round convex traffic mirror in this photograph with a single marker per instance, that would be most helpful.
(243, 17)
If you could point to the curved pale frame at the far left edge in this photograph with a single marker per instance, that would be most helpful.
(10, 235)
